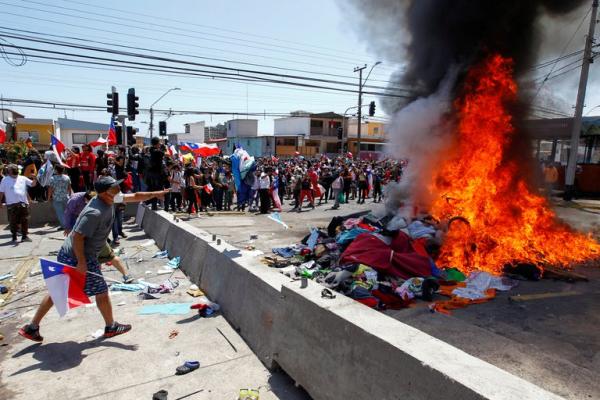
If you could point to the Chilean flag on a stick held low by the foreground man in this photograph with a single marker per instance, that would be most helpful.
(65, 285)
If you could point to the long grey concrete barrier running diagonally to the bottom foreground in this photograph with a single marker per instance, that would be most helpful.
(335, 348)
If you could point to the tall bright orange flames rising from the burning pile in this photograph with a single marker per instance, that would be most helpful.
(505, 221)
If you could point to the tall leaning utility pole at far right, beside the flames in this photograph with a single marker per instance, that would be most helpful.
(576, 132)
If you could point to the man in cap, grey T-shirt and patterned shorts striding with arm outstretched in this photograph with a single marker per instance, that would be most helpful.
(80, 250)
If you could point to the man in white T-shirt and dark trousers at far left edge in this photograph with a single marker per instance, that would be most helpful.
(13, 188)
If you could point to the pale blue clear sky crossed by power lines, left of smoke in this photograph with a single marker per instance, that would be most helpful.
(308, 35)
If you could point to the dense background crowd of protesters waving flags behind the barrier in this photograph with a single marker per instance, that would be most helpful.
(196, 184)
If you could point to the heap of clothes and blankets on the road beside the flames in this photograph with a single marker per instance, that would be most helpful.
(386, 263)
